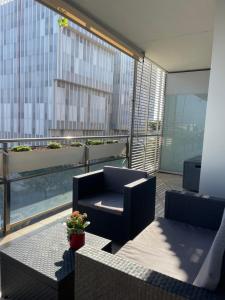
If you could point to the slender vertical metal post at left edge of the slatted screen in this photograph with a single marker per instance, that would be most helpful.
(133, 114)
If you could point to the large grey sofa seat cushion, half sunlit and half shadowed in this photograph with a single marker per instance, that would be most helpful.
(172, 248)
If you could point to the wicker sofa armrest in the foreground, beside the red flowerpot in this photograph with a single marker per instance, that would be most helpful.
(101, 275)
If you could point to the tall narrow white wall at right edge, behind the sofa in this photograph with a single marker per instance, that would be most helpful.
(212, 179)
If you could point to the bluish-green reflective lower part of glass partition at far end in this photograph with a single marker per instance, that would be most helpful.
(183, 130)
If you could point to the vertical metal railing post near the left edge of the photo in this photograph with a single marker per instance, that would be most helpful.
(6, 201)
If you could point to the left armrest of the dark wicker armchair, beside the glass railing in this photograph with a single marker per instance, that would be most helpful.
(87, 184)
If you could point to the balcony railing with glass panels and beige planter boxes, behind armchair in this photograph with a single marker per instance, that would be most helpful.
(44, 186)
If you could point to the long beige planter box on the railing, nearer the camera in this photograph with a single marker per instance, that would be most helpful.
(41, 159)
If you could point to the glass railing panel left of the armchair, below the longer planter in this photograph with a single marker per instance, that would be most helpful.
(35, 195)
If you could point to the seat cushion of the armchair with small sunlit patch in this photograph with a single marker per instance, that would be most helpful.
(105, 201)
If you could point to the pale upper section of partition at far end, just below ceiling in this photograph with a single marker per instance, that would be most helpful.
(187, 83)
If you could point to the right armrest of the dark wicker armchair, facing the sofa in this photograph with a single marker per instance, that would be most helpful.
(139, 204)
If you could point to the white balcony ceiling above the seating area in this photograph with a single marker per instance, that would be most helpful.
(176, 34)
